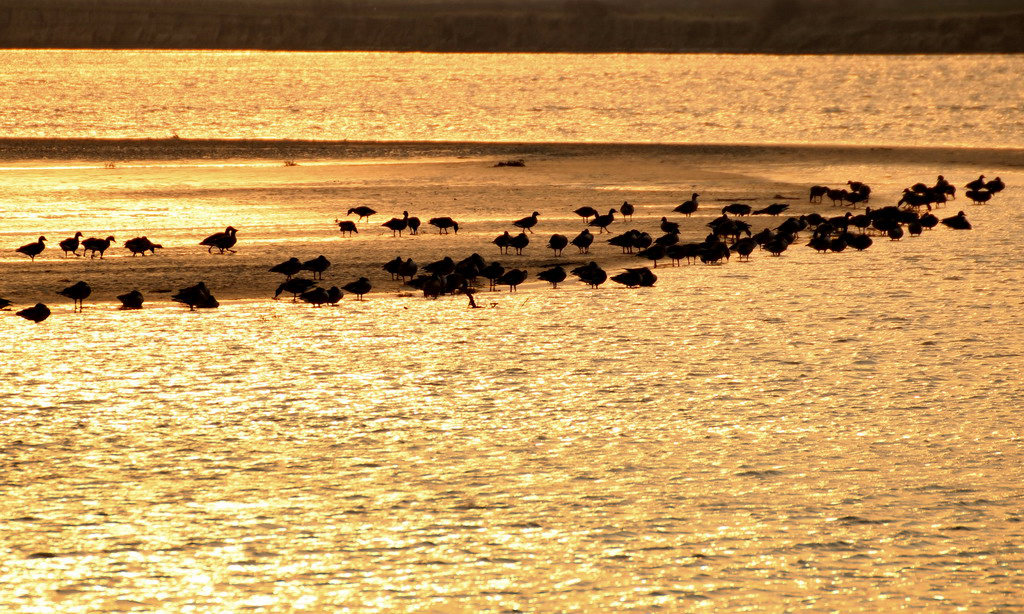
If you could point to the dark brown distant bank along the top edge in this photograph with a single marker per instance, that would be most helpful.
(523, 26)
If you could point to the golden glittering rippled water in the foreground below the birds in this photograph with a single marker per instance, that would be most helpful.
(778, 432)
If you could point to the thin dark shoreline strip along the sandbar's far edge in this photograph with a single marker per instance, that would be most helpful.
(182, 149)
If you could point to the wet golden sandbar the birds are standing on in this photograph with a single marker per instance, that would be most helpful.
(178, 192)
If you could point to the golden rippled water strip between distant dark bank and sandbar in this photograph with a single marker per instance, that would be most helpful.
(976, 101)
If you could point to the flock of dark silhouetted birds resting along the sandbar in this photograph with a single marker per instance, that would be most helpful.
(729, 235)
